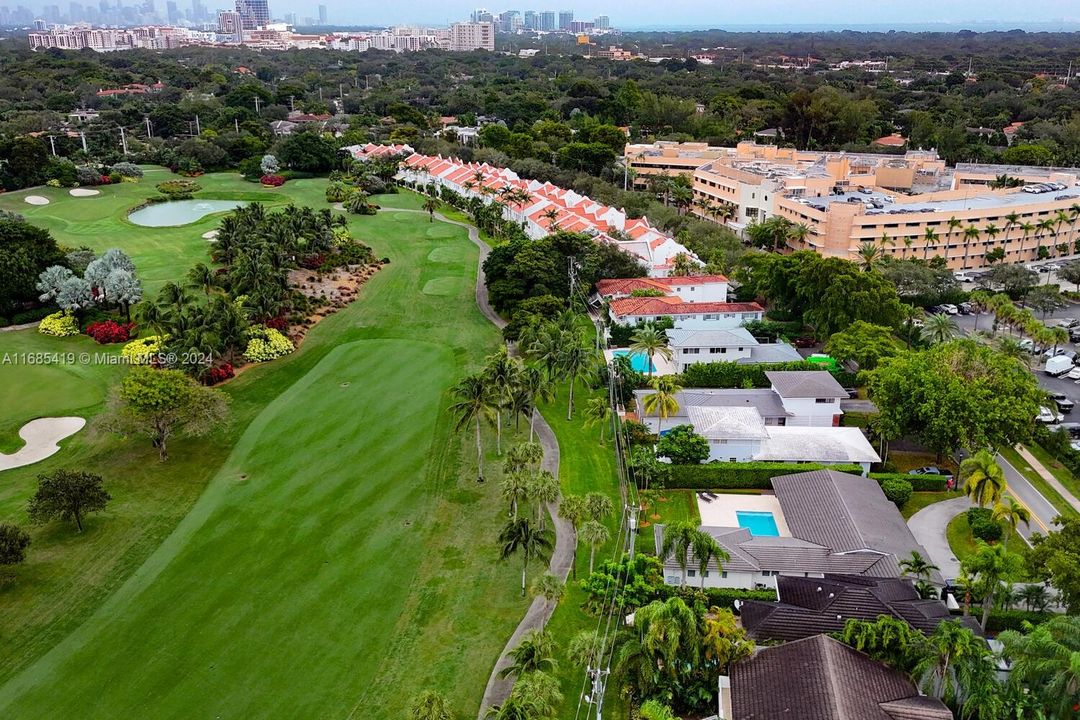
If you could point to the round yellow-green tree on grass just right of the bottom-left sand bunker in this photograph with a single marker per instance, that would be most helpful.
(159, 403)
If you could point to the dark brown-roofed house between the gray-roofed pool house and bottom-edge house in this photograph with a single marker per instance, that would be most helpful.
(812, 606)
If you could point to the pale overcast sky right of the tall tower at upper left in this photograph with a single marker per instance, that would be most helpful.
(711, 13)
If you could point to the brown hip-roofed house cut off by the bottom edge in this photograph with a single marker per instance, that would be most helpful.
(820, 678)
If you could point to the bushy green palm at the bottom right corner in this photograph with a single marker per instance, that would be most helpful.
(1046, 660)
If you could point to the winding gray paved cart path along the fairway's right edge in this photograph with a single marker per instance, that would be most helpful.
(498, 689)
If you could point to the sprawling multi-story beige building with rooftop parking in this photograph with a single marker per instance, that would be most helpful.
(911, 206)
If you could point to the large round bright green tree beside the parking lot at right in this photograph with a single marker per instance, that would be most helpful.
(958, 395)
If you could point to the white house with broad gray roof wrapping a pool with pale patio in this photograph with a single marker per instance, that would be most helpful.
(829, 524)
